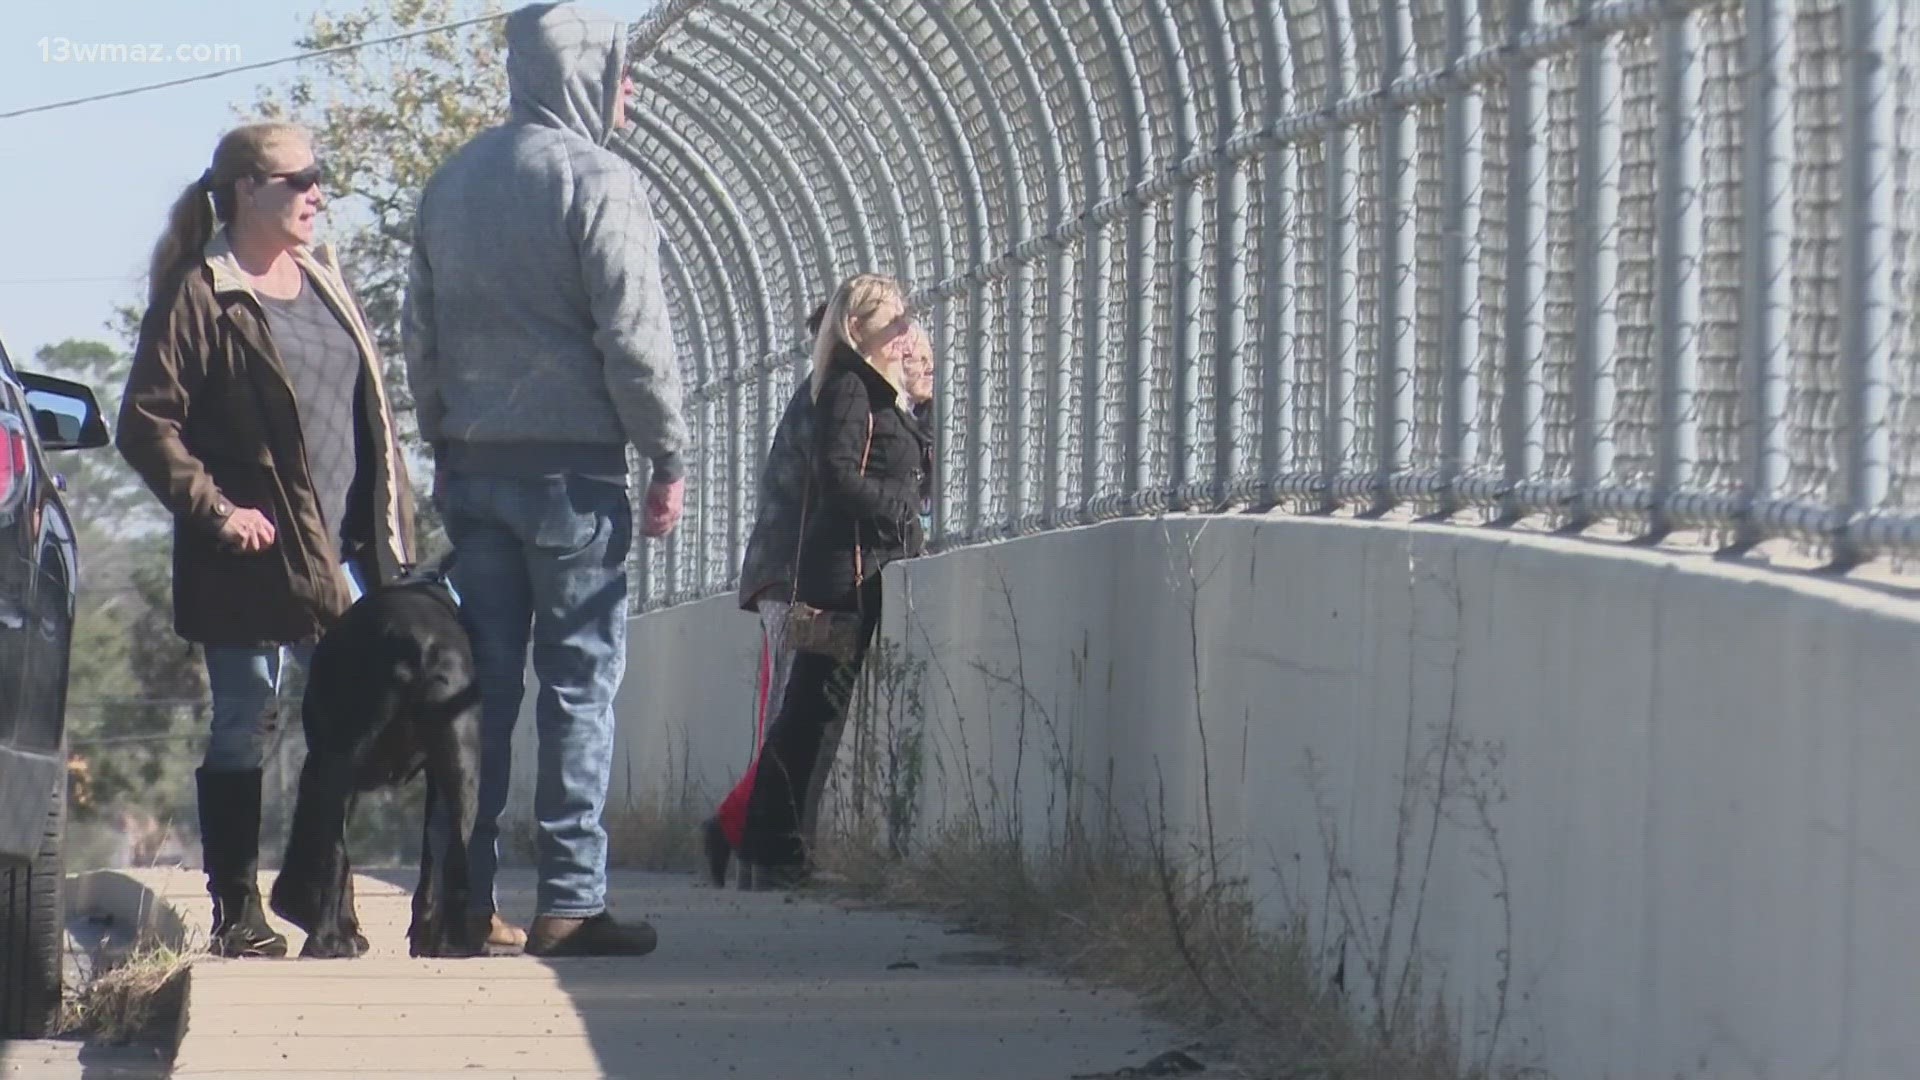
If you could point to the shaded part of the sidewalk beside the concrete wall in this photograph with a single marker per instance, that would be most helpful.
(769, 985)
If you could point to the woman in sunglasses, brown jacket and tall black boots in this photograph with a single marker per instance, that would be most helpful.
(256, 412)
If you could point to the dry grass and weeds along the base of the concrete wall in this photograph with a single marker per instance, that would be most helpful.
(1136, 916)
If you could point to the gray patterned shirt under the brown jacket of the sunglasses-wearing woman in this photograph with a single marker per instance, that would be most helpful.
(325, 370)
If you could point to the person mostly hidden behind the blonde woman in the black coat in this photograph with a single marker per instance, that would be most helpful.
(767, 583)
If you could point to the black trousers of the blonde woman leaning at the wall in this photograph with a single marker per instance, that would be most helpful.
(817, 700)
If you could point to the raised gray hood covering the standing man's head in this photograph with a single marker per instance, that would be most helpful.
(565, 66)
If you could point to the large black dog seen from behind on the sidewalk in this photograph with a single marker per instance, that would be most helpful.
(391, 695)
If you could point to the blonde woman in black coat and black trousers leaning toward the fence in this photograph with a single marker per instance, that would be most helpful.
(871, 462)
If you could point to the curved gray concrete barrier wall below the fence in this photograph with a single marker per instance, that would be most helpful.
(1675, 798)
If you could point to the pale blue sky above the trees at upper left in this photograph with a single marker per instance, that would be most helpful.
(85, 191)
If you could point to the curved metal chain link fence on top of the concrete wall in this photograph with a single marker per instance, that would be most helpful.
(1633, 264)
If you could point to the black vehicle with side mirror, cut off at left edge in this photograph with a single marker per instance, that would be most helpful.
(39, 568)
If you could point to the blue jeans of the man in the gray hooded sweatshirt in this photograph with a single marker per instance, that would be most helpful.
(542, 562)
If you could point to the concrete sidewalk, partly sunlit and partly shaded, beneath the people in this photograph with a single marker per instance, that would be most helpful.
(744, 985)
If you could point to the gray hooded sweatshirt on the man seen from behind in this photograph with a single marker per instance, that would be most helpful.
(535, 326)
